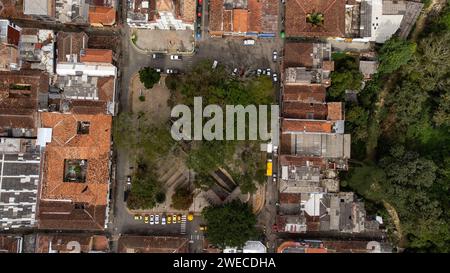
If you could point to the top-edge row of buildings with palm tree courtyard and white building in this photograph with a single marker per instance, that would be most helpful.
(357, 20)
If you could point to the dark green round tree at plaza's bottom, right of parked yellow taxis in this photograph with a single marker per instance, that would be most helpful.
(230, 225)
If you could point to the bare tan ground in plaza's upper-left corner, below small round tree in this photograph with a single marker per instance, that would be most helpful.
(155, 100)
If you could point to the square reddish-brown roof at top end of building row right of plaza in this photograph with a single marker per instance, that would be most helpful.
(298, 55)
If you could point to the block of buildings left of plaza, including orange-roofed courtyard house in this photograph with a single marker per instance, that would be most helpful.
(57, 99)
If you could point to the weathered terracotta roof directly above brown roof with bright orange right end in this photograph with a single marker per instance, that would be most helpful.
(304, 93)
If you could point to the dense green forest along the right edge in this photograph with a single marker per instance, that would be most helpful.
(406, 108)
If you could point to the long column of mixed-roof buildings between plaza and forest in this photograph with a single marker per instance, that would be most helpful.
(314, 148)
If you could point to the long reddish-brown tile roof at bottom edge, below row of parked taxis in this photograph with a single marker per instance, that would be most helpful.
(152, 244)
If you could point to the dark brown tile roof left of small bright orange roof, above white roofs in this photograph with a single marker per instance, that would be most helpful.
(70, 43)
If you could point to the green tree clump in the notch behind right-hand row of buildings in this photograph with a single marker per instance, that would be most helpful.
(345, 77)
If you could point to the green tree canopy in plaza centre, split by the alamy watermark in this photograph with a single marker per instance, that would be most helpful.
(215, 86)
